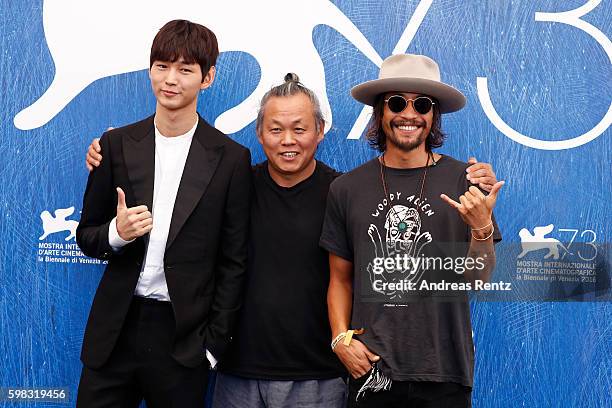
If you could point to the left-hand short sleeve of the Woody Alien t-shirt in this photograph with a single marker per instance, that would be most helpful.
(335, 237)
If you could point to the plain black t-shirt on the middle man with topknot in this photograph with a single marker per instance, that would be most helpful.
(283, 330)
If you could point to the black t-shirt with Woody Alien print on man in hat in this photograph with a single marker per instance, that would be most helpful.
(399, 246)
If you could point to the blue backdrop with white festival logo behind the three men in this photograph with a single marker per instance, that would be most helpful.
(540, 113)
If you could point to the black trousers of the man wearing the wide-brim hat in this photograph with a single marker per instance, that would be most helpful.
(412, 394)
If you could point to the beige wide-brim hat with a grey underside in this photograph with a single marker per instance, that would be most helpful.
(413, 74)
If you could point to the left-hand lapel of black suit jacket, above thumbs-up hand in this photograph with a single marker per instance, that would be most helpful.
(139, 158)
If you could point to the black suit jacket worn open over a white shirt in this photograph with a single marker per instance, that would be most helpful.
(206, 251)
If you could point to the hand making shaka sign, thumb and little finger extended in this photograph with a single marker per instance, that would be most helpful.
(475, 208)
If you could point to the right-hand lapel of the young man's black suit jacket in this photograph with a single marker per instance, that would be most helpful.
(202, 161)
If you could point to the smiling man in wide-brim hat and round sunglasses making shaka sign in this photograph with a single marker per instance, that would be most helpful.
(401, 325)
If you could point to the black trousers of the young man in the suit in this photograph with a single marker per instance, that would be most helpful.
(141, 367)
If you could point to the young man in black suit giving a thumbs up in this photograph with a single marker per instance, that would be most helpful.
(168, 209)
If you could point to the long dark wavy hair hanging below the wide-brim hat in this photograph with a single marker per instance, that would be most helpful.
(378, 139)
